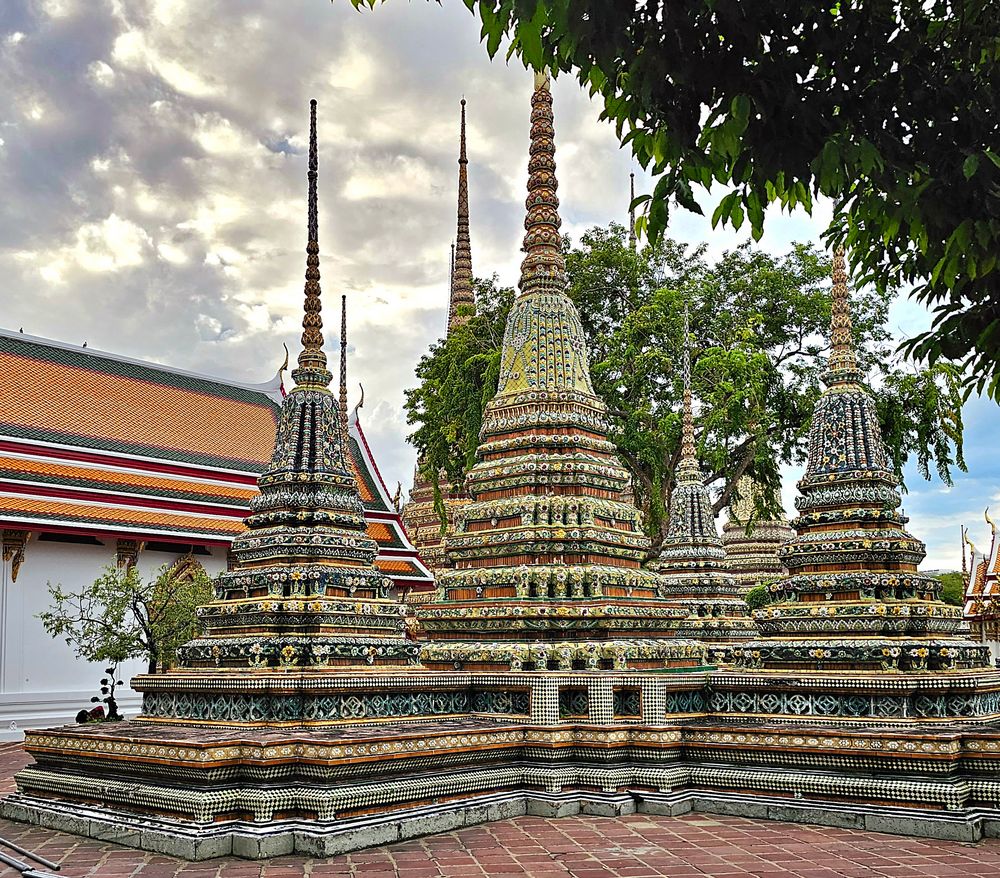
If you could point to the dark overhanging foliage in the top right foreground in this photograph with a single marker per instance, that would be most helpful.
(888, 108)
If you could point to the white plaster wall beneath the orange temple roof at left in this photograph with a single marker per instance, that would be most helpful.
(42, 681)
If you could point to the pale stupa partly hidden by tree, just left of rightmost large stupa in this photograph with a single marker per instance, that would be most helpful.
(752, 543)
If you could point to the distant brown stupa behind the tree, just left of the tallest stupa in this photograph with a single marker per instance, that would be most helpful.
(420, 515)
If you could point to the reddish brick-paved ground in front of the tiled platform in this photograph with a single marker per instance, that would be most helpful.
(640, 846)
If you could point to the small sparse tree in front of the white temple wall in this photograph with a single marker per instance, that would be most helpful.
(122, 616)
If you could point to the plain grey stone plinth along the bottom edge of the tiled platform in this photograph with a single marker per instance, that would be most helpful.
(325, 839)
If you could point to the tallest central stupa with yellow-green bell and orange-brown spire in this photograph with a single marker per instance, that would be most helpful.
(547, 558)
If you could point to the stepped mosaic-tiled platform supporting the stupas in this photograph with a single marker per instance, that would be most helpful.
(542, 744)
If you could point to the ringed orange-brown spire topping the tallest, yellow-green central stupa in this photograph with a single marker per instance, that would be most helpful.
(543, 267)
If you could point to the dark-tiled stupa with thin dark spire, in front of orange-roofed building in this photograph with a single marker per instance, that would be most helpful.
(303, 591)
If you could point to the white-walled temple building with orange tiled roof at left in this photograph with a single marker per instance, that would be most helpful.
(107, 460)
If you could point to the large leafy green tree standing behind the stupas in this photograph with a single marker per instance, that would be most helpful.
(759, 324)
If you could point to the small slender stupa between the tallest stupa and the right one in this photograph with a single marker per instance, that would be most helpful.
(691, 562)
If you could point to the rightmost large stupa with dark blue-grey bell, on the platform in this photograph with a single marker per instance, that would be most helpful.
(853, 597)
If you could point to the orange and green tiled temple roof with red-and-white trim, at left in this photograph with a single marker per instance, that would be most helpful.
(93, 442)
